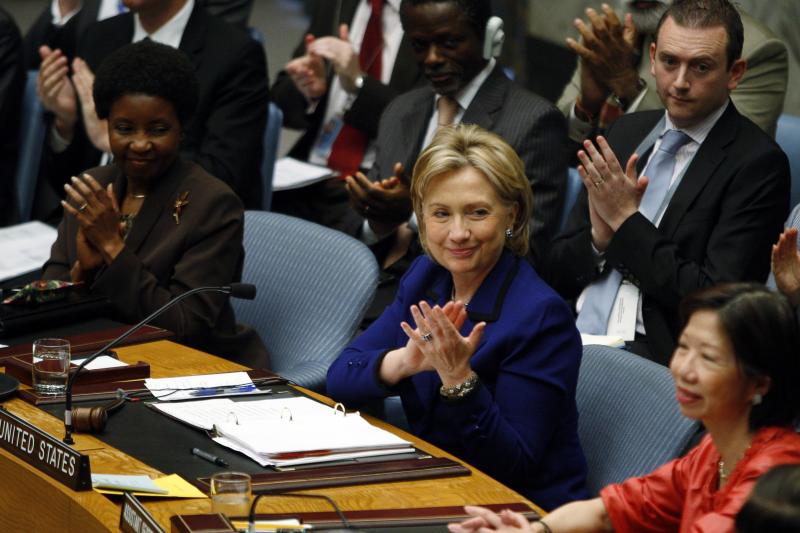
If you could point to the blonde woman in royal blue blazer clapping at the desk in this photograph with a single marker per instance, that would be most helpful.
(483, 353)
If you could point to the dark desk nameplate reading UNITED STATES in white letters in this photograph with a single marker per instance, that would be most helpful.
(44, 452)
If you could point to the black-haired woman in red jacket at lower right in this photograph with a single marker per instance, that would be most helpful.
(736, 370)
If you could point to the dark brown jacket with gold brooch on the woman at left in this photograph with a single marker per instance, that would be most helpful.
(163, 259)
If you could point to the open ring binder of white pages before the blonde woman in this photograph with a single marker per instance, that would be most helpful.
(287, 431)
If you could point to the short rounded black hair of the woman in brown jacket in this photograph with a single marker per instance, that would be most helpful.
(147, 68)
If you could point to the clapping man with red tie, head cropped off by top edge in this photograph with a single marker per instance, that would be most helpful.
(327, 102)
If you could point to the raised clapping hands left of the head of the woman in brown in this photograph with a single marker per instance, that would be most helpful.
(60, 93)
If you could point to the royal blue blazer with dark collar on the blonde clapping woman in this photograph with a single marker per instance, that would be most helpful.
(520, 426)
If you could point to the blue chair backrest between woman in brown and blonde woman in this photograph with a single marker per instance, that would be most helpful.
(314, 285)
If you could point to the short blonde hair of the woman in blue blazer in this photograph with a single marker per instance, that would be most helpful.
(453, 148)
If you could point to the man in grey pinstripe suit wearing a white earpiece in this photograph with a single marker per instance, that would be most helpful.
(455, 42)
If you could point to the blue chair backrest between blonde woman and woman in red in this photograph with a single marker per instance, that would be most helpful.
(629, 420)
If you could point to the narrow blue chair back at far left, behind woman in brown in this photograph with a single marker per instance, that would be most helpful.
(31, 140)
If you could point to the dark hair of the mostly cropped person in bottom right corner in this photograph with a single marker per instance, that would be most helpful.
(774, 504)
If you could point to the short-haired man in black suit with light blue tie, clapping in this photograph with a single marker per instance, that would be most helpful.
(632, 255)
